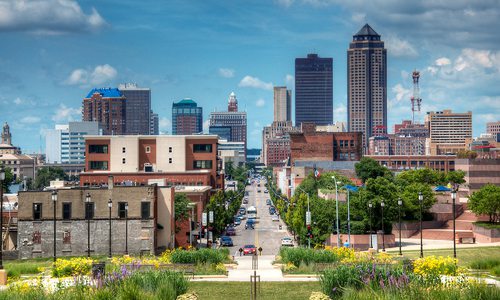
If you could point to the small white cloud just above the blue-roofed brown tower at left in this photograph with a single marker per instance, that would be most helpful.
(100, 75)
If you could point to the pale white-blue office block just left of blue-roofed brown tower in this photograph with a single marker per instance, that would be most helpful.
(66, 143)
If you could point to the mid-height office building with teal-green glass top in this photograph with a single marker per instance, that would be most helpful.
(187, 117)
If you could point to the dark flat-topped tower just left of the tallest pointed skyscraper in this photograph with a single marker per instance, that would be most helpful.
(313, 90)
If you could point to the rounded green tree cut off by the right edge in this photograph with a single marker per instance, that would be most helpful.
(486, 201)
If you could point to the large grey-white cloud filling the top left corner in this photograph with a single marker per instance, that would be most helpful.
(48, 17)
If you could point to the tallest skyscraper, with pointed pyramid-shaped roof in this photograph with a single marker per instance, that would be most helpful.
(367, 84)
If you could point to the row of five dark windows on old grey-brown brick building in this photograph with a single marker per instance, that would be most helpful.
(89, 210)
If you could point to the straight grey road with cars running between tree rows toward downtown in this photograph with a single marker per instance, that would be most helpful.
(266, 233)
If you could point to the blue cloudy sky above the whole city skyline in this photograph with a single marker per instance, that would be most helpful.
(52, 52)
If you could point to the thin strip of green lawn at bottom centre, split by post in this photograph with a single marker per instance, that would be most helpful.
(241, 290)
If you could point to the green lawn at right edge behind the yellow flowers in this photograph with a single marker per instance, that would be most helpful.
(464, 255)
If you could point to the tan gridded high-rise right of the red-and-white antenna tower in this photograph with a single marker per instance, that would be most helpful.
(449, 132)
